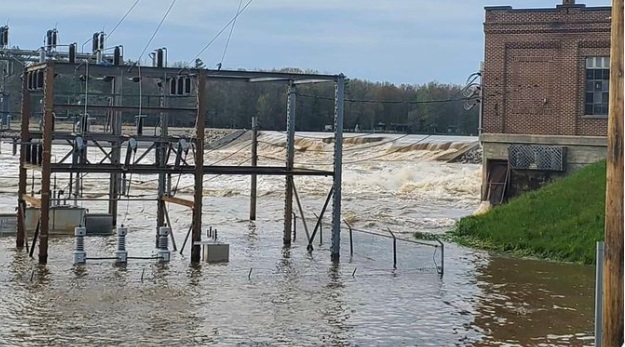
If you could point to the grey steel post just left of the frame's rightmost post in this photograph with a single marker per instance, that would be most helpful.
(290, 156)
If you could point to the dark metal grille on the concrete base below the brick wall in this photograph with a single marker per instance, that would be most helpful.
(544, 158)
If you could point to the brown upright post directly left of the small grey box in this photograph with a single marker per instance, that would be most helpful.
(196, 236)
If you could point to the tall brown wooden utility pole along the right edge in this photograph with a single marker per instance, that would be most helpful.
(612, 332)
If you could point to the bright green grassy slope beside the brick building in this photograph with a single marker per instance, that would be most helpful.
(562, 221)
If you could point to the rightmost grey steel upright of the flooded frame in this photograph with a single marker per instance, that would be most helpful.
(335, 248)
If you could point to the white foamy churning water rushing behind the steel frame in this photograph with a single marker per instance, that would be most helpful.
(388, 179)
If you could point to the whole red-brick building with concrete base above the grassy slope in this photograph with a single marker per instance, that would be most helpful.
(545, 94)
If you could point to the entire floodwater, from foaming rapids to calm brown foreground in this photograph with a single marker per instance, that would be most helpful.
(270, 296)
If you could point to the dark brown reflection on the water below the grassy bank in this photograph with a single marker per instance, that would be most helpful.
(533, 302)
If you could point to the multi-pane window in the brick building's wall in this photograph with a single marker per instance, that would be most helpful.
(597, 82)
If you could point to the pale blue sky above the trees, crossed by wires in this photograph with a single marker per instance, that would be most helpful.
(397, 41)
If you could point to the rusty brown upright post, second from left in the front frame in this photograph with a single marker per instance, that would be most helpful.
(48, 104)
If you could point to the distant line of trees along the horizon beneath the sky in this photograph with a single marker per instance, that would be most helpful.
(430, 108)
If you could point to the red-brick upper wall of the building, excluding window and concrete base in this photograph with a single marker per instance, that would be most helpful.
(534, 69)
